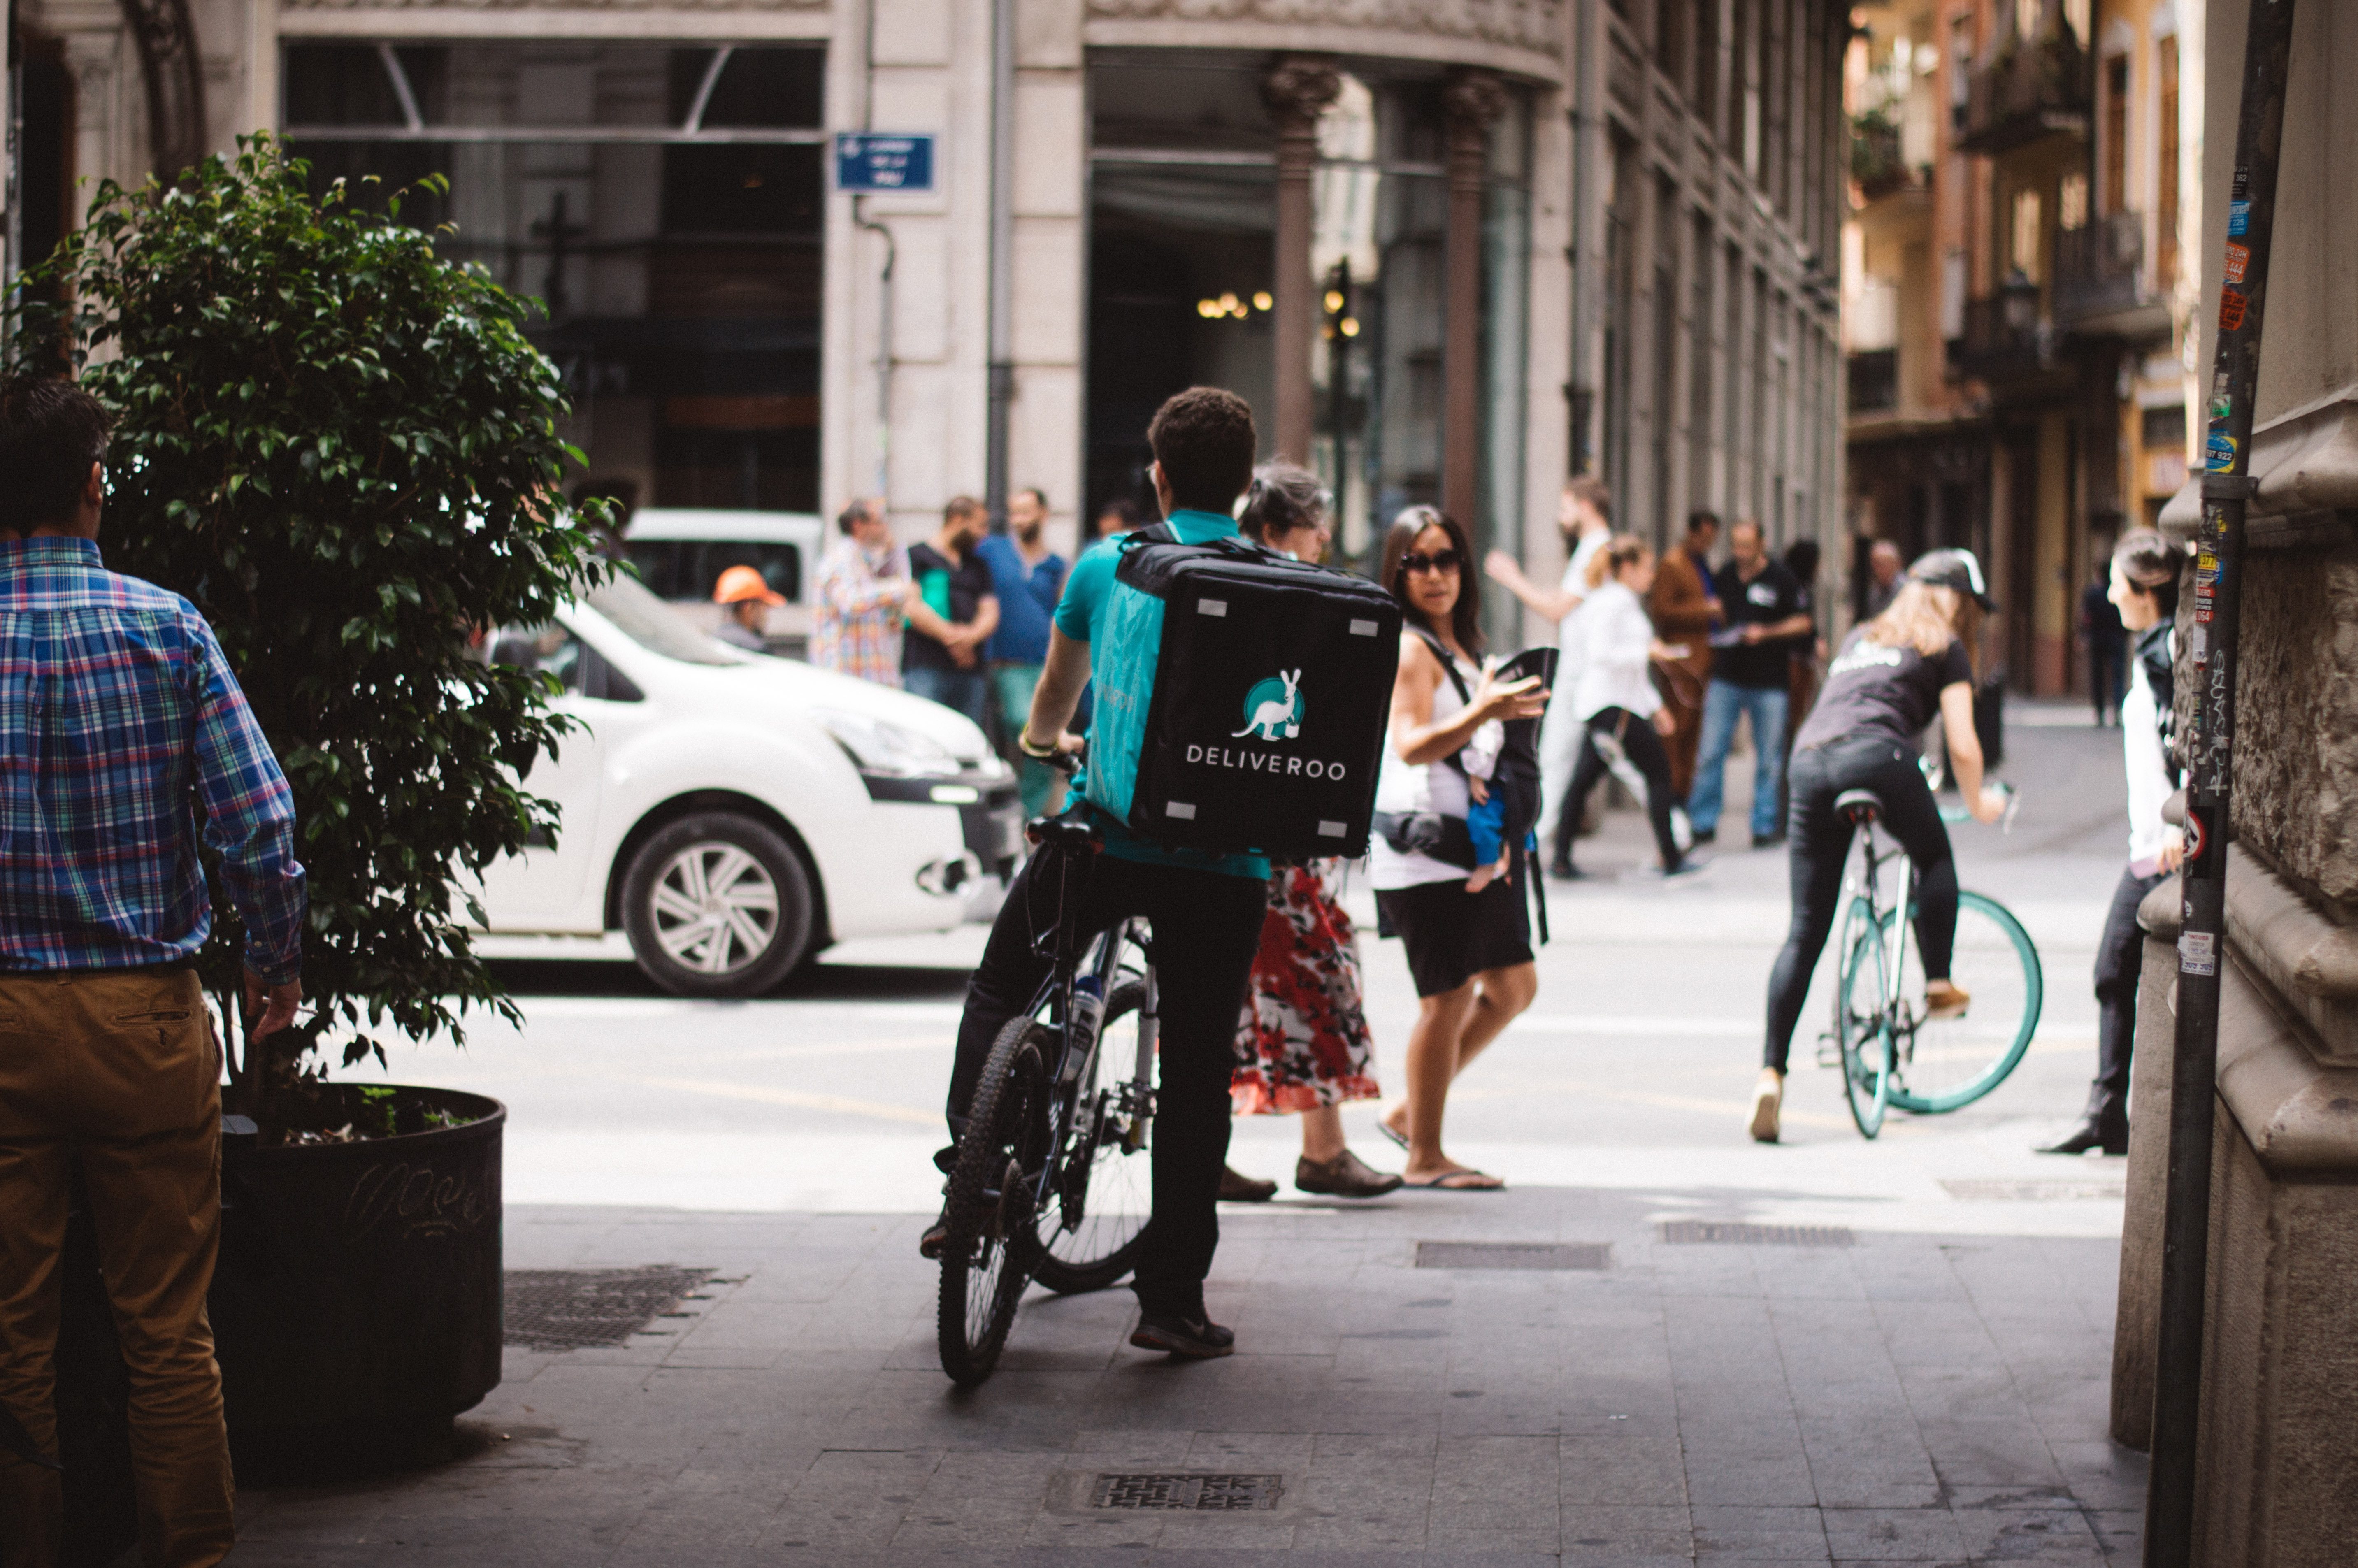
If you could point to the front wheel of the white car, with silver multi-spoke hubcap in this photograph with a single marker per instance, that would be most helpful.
(718, 907)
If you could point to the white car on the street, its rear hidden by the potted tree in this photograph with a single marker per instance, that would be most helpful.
(732, 812)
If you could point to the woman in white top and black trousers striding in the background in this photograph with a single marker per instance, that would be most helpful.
(1616, 699)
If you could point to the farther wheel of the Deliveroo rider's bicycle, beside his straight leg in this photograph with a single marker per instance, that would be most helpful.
(1093, 1225)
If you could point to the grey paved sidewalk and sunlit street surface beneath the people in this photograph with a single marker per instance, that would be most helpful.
(1930, 1392)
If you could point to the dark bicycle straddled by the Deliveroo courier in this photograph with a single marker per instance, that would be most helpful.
(1053, 1178)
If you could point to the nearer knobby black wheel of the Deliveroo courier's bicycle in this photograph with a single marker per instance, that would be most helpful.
(989, 1251)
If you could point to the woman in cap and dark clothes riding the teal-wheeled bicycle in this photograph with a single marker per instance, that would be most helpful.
(1885, 685)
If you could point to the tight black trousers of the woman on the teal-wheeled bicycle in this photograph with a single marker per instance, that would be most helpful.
(1822, 843)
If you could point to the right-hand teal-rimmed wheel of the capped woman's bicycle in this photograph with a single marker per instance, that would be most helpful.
(1954, 1062)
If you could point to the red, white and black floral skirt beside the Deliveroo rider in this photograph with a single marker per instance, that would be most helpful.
(1303, 1041)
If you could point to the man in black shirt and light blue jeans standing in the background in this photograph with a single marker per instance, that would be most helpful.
(1751, 676)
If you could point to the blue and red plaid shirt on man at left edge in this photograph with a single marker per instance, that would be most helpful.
(119, 720)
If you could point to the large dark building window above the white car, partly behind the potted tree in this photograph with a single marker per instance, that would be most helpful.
(664, 204)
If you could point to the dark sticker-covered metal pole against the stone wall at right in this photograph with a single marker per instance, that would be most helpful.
(2227, 487)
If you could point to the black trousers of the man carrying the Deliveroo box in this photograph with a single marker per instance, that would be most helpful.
(1206, 930)
